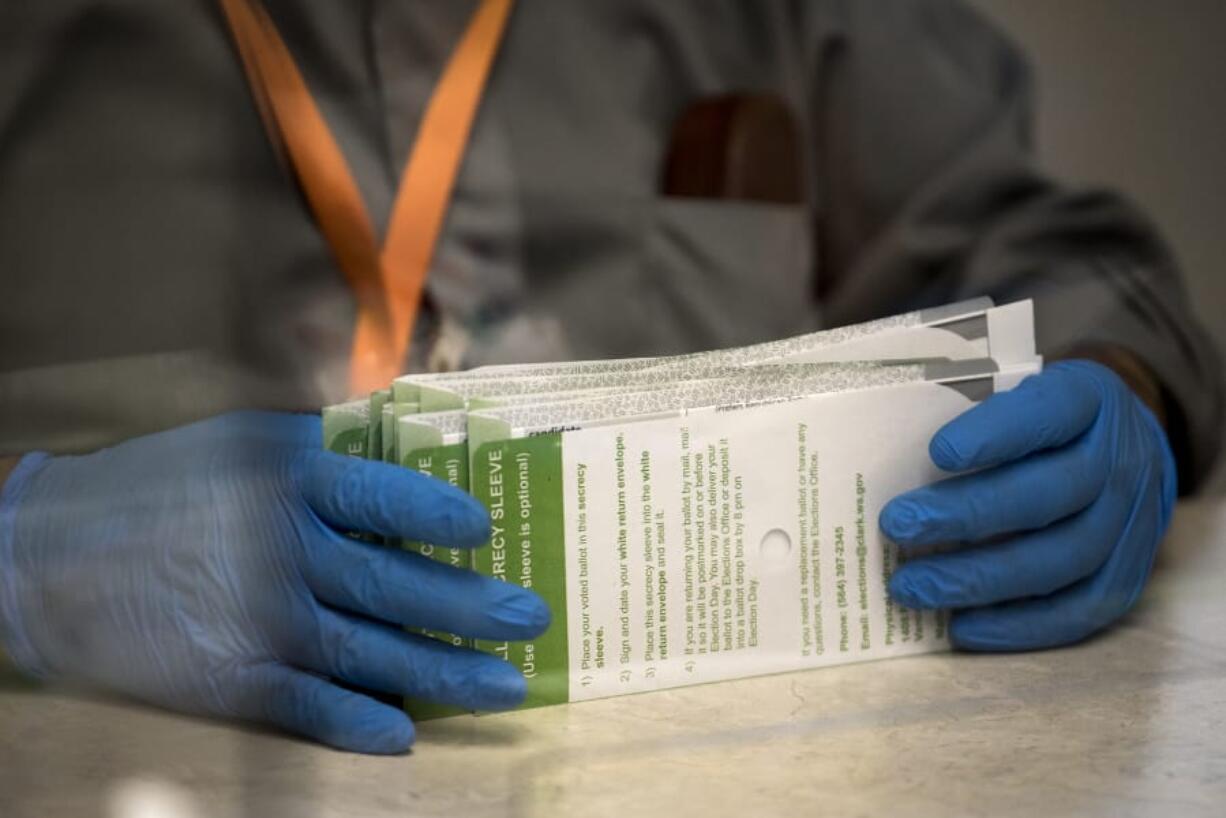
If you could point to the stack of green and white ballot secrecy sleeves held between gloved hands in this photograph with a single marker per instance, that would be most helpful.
(698, 518)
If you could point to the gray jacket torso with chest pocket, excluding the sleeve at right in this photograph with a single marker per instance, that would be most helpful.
(161, 266)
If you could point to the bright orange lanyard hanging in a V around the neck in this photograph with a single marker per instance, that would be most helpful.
(387, 281)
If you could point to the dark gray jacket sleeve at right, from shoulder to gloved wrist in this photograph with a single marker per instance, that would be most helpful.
(927, 191)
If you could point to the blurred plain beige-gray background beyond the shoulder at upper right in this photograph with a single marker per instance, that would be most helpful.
(1131, 96)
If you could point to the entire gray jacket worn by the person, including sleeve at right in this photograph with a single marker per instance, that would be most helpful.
(160, 266)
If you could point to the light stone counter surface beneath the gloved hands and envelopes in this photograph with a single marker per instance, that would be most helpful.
(1131, 724)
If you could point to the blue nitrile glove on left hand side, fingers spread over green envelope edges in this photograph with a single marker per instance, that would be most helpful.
(202, 570)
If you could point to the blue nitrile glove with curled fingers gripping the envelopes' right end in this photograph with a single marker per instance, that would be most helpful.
(1061, 527)
